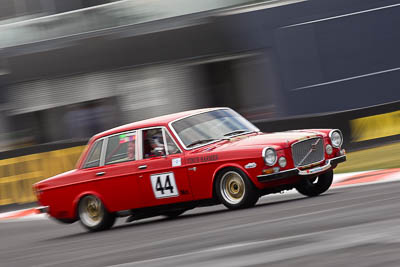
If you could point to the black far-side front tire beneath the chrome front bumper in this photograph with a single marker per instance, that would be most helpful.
(317, 186)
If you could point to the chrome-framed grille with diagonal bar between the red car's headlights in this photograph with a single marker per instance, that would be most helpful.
(308, 151)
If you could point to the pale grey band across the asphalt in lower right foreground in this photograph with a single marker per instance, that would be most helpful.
(331, 240)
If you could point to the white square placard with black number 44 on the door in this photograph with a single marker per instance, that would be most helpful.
(164, 185)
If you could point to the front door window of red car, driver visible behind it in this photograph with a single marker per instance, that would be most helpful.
(153, 143)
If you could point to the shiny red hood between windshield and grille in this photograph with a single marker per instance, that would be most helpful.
(278, 140)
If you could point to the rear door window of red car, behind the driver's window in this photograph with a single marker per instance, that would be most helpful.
(121, 148)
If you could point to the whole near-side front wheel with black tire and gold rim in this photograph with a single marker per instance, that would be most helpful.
(235, 190)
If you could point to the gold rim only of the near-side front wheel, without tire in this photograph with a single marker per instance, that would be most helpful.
(233, 187)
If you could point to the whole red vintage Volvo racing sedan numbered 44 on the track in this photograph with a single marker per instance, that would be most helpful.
(170, 164)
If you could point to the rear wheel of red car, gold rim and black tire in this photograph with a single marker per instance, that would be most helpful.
(93, 215)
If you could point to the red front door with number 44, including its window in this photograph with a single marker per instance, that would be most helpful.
(162, 175)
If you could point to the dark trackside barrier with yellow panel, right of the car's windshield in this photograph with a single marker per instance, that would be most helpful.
(362, 128)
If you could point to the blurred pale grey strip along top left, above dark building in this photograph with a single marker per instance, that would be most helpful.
(108, 16)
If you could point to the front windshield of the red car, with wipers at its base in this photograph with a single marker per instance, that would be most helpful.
(214, 125)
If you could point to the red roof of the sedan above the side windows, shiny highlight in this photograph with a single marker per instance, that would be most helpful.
(156, 121)
